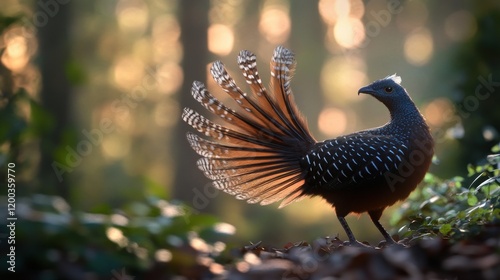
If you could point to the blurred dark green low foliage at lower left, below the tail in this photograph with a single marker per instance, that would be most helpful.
(152, 234)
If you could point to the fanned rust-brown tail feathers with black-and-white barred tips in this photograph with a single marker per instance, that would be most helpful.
(258, 159)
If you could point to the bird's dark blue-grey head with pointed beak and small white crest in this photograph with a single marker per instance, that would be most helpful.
(388, 91)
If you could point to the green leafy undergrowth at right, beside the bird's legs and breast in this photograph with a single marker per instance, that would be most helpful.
(448, 209)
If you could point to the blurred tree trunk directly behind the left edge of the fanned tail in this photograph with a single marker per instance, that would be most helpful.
(189, 182)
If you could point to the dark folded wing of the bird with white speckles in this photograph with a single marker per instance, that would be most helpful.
(353, 160)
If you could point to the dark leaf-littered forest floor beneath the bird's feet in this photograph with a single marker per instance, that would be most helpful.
(330, 258)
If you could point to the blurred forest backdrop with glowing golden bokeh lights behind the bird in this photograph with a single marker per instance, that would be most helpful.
(92, 92)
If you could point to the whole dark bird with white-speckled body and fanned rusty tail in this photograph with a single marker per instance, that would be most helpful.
(269, 154)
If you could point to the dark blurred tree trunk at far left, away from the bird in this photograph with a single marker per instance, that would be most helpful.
(53, 22)
